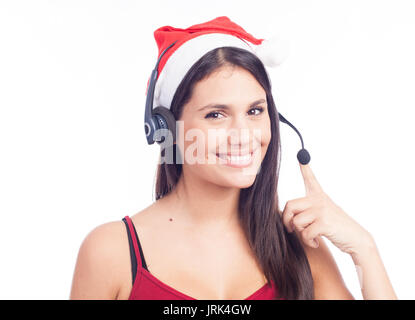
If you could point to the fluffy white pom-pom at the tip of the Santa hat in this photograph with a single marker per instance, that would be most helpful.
(272, 51)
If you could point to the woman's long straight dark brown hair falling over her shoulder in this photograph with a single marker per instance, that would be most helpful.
(279, 253)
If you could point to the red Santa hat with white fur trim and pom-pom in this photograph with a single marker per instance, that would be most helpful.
(195, 41)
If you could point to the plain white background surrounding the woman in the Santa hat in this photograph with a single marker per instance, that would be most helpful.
(73, 151)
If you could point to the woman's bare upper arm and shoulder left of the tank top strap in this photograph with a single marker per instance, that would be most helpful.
(97, 269)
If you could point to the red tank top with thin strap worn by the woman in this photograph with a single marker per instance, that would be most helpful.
(147, 287)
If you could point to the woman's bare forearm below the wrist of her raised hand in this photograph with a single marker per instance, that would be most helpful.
(374, 281)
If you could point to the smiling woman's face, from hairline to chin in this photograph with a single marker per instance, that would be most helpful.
(226, 116)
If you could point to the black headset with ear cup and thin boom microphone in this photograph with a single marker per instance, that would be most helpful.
(162, 118)
